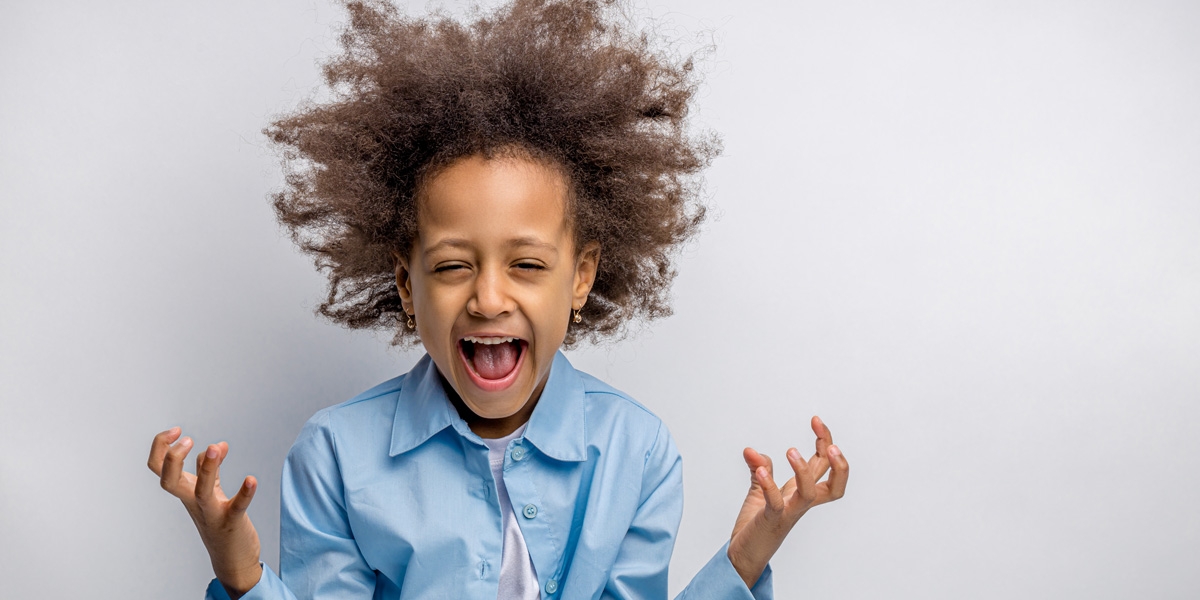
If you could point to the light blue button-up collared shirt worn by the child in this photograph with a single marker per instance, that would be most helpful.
(391, 496)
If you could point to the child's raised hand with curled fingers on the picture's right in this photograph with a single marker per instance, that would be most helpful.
(769, 513)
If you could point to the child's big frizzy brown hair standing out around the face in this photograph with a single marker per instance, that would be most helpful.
(561, 82)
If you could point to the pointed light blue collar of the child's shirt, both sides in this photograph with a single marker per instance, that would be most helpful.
(556, 428)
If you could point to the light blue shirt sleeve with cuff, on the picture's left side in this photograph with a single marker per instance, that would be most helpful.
(319, 556)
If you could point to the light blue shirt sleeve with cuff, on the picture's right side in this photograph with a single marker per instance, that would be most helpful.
(641, 568)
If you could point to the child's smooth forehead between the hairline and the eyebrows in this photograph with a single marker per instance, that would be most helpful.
(494, 201)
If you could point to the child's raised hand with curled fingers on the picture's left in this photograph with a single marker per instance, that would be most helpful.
(225, 527)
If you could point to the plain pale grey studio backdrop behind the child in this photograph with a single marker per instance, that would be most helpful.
(963, 233)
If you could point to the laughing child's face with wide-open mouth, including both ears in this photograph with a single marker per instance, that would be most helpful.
(491, 283)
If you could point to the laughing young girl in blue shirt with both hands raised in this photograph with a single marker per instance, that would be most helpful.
(494, 194)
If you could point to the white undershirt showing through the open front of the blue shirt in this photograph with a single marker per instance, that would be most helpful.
(519, 581)
